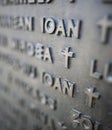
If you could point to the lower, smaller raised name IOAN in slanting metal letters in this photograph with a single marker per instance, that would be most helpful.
(62, 85)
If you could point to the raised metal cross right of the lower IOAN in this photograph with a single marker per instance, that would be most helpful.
(92, 95)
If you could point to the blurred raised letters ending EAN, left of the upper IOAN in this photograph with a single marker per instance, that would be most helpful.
(25, 23)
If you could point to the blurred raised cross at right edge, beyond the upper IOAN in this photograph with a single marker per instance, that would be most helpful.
(105, 24)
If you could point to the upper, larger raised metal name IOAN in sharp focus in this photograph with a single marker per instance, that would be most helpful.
(66, 28)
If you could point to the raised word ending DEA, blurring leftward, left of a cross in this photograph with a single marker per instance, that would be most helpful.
(37, 50)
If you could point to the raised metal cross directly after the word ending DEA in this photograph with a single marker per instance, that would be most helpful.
(68, 54)
